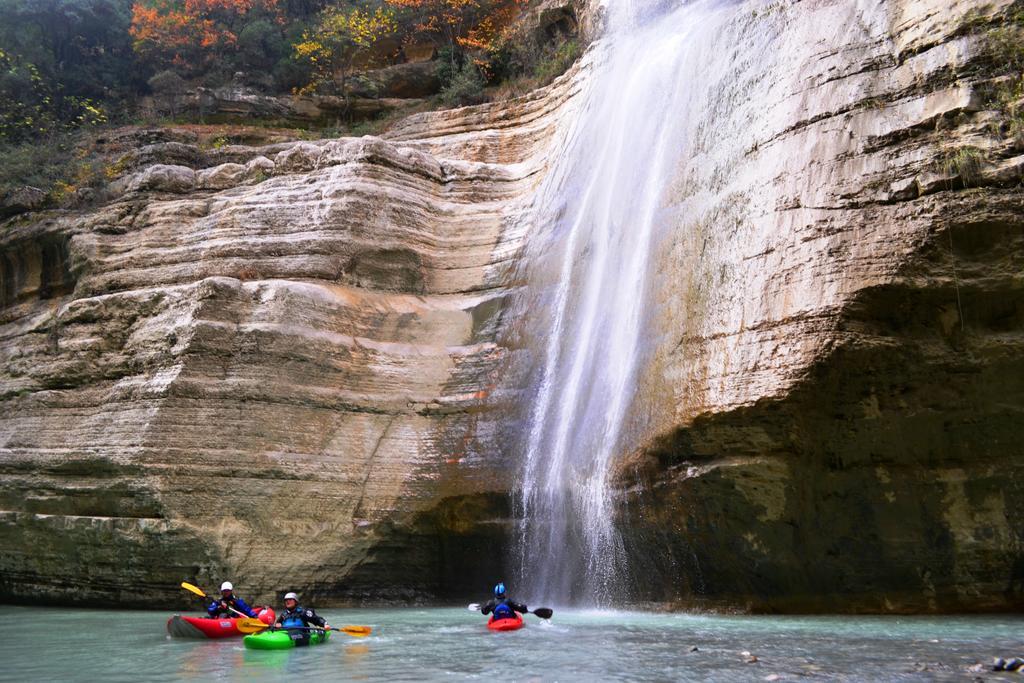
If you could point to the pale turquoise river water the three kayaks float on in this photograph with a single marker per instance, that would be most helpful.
(450, 645)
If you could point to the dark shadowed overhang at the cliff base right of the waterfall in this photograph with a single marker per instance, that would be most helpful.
(888, 481)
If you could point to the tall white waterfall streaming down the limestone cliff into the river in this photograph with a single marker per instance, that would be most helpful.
(603, 210)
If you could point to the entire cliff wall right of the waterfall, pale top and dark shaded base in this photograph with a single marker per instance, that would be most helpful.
(839, 388)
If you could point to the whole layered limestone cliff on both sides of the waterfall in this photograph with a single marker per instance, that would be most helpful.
(283, 365)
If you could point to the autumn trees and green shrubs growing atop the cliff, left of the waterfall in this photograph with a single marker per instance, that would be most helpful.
(72, 67)
